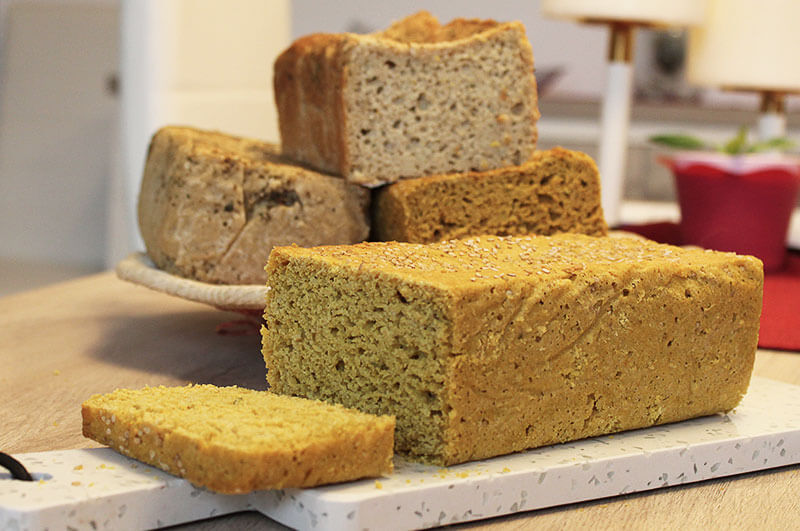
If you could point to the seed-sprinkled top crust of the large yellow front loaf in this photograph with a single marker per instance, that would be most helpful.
(472, 264)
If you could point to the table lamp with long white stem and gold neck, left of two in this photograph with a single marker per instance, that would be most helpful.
(622, 17)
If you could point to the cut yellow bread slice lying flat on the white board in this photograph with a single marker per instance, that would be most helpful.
(235, 440)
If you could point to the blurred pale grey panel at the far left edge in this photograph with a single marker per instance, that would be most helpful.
(55, 117)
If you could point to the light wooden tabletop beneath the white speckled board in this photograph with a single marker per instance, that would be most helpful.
(62, 343)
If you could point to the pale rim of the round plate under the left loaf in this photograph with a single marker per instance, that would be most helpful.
(139, 269)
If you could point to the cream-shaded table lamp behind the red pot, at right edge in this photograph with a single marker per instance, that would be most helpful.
(753, 46)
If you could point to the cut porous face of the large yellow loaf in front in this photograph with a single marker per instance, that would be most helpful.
(352, 334)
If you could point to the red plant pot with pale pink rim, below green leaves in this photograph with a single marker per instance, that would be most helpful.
(740, 204)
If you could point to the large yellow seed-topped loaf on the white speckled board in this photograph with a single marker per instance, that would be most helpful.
(490, 345)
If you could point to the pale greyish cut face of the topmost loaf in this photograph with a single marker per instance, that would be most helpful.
(453, 107)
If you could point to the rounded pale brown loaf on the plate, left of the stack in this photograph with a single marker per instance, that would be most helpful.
(212, 206)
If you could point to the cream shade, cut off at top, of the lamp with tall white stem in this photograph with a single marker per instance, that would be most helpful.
(660, 12)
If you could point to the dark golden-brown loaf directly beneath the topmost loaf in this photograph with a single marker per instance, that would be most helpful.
(555, 191)
